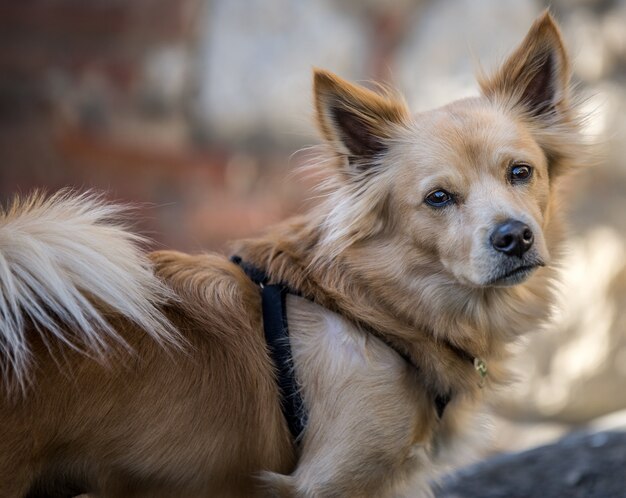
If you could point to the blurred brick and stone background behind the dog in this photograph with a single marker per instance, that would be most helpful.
(195, 110)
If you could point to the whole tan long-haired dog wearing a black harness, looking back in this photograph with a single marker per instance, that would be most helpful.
(133, 374)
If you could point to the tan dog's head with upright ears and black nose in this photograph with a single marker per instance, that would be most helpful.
(468, 185)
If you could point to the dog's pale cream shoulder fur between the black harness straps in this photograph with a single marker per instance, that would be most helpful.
(368, 416)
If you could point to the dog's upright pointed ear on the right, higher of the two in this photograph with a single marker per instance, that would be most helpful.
(536, 75)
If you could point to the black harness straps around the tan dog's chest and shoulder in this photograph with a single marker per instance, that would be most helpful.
(276, 329)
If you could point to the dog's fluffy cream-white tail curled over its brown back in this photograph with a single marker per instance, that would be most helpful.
(66, 260)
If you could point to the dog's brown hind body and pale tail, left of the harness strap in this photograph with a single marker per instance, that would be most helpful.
(121, 411)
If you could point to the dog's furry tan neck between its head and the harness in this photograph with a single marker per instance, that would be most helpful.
(440, 329)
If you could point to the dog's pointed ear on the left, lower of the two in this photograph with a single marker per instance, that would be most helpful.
(355, 121)
